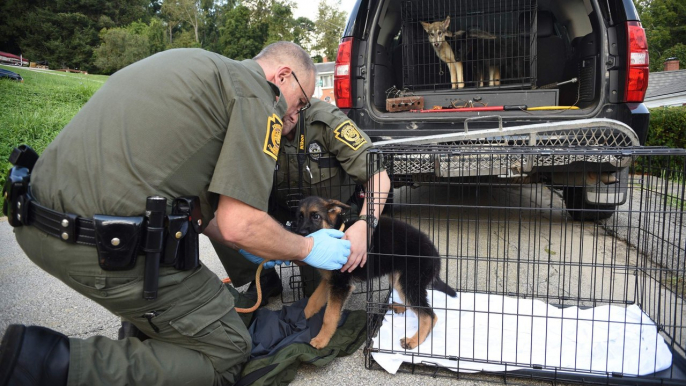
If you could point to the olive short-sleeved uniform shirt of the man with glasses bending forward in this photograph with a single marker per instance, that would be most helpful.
(181, 122)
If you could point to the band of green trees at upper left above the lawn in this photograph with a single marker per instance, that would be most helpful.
(102, 36)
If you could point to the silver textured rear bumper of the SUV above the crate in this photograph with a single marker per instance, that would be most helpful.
(584, 134)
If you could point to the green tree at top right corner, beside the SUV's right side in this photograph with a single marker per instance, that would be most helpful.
(665, 25)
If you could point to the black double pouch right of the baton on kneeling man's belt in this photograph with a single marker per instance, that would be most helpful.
(182, 248)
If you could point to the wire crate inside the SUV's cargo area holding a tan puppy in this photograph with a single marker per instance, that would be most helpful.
(492, 43)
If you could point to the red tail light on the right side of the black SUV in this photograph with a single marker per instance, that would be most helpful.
(637, 63)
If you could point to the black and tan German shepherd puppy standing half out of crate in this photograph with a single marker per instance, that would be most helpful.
(404, 253)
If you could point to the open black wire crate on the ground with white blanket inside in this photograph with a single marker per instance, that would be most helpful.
(542, 295)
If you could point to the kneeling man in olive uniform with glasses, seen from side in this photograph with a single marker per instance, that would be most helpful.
(183, 122)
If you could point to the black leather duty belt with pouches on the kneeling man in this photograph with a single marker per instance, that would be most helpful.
(165, 239)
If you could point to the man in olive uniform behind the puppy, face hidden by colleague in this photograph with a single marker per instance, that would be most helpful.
(334, 151)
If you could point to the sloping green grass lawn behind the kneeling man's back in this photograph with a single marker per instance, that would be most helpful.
(34, 112)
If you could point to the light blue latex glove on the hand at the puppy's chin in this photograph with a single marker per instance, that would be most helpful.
(328, 252)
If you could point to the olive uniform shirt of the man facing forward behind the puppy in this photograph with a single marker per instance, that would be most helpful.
(330, 136)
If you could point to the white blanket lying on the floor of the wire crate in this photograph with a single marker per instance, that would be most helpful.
(527, 333)
